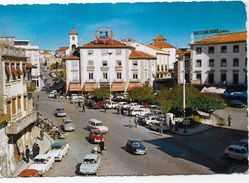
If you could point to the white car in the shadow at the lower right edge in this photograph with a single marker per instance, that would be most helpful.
(236, 152)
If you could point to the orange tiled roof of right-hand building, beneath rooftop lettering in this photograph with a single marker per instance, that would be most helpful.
(224, 38)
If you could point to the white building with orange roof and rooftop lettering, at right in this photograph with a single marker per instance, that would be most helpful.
(220, 59)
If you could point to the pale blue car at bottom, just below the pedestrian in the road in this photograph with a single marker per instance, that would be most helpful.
(90, 165)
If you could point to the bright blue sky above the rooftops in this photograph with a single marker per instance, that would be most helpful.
(48, 25)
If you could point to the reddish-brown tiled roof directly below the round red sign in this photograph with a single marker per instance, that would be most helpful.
(111, 44)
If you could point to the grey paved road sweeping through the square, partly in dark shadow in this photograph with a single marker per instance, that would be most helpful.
(167, 155)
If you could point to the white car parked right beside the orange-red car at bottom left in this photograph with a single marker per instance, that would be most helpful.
(42, 163)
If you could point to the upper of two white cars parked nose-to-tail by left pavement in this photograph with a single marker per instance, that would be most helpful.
(58, 150)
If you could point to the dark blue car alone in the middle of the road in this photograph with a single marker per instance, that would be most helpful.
(135, 147)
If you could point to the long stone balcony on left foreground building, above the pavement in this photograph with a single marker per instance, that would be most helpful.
(19, 125)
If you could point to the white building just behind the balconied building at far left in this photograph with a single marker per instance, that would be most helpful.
(32, 52)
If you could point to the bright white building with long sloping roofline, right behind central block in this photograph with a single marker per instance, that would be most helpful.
(162, 57)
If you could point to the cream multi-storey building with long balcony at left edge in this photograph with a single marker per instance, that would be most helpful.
(16, 103)
